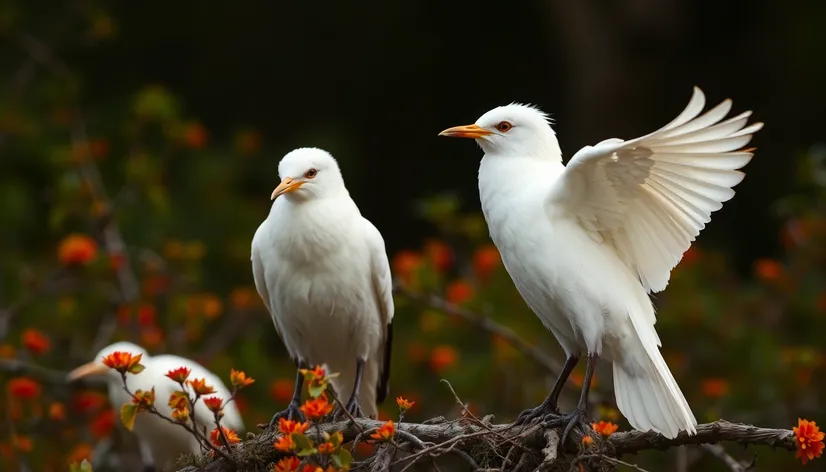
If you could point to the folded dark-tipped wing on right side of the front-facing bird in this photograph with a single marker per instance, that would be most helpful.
(383, 288)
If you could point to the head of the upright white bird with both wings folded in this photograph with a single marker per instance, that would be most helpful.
(308, 173)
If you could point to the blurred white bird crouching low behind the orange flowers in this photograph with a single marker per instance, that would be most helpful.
(166, 441)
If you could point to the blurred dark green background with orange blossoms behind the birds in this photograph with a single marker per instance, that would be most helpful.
(159, 125)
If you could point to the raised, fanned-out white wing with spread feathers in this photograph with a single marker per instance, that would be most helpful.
(650, 197)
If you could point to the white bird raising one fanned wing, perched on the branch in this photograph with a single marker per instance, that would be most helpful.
(586, 243)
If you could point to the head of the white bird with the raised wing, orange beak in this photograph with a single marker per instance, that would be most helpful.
(511, 130)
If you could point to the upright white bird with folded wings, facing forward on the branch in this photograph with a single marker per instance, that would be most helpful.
(323, 274)
